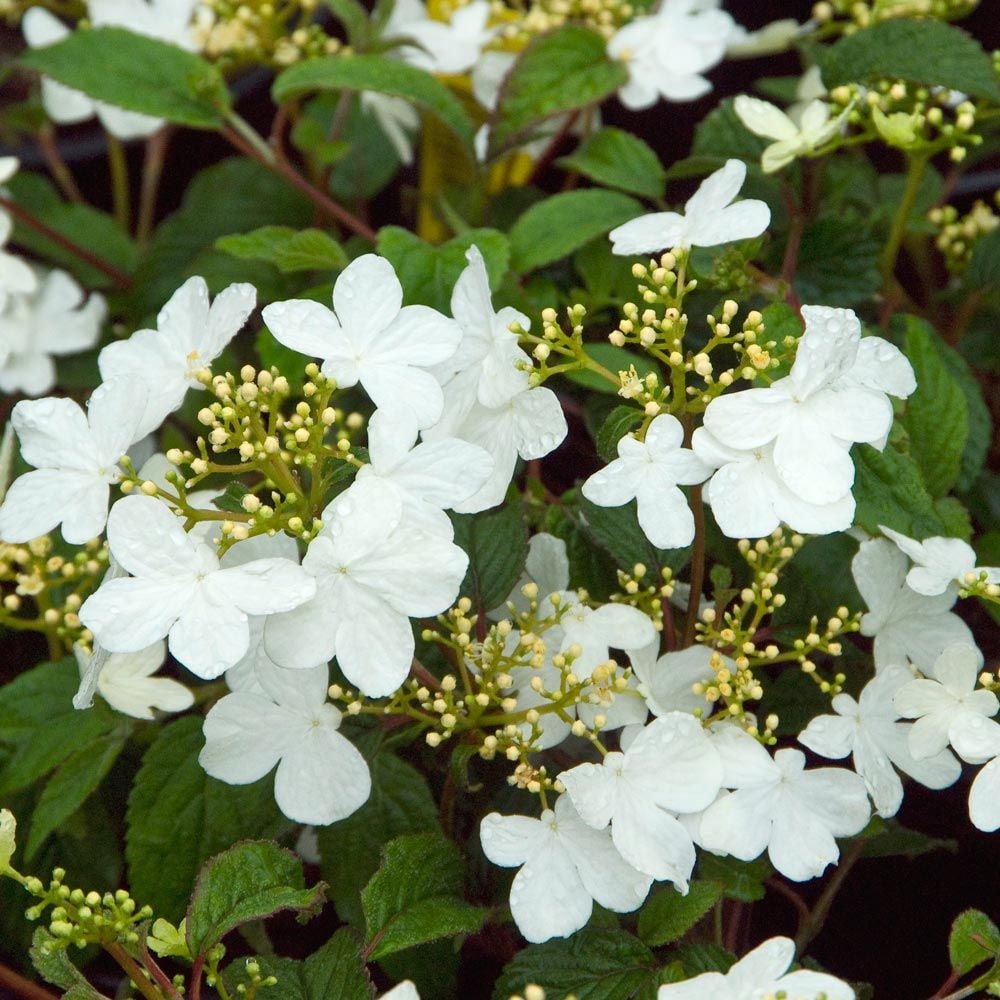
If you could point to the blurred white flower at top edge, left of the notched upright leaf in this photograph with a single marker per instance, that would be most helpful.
(446, 47)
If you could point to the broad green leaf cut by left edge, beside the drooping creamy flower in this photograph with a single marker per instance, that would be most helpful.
(38, 721)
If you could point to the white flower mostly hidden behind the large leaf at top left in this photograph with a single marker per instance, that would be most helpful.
(166, 20)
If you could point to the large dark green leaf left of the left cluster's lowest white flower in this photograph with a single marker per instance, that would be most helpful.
(178, 817)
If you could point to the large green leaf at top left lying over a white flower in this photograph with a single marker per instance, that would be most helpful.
(136, 73)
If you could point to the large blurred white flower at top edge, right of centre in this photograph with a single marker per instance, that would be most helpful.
(666, 52)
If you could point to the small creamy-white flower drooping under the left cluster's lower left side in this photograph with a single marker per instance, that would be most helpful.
(127, 684)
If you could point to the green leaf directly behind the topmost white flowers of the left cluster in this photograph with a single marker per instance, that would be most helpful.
(428, 272)
